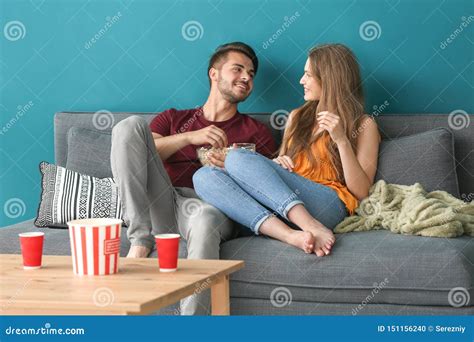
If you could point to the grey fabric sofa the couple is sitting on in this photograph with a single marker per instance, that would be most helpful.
(368, 273)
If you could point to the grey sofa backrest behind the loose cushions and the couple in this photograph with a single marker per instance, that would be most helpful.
(391, 126)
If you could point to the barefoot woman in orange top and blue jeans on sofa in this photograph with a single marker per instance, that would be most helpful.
(326, 164)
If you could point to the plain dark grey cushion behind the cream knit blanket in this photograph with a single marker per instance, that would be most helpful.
(426, 158)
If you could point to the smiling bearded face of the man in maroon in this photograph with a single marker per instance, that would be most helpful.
(235, 77)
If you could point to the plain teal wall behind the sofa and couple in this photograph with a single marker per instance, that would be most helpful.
(141, 61)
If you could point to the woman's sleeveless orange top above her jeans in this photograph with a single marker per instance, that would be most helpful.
(325, 174)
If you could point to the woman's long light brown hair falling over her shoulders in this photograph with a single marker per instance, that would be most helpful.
(337, 72)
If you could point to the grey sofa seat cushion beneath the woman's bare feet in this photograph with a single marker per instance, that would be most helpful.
(375, 266)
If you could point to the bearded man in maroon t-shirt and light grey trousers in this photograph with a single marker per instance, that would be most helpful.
(153, 165)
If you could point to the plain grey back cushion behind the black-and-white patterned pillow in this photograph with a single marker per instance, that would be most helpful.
(89, 152)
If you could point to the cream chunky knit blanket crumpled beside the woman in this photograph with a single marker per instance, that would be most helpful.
(409, 209)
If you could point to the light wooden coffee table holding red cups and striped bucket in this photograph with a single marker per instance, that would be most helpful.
(139, 288)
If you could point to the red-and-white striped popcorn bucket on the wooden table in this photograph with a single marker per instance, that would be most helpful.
(95, 245)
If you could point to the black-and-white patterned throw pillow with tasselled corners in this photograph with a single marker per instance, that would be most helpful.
(67, 195)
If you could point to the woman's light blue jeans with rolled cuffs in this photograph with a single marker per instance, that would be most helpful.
(252, 188)
